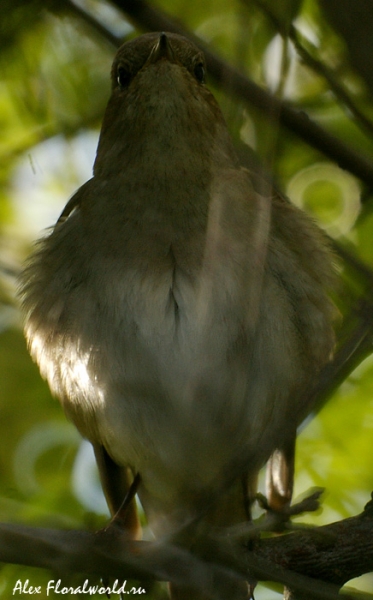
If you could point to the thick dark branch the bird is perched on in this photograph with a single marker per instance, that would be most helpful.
(314, 561)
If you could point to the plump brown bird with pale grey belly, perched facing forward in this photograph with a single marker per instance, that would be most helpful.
(178, 312)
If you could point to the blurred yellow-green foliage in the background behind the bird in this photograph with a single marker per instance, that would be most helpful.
(53, 90)
